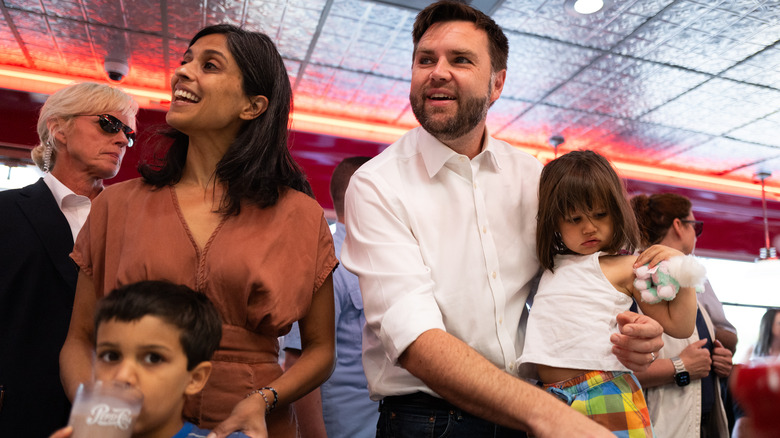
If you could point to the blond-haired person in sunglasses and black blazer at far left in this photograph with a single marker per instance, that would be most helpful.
(84, 131)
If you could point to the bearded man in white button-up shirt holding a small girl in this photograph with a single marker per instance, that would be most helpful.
(440, 231)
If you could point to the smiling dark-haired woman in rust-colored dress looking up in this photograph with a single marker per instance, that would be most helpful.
(228, 213)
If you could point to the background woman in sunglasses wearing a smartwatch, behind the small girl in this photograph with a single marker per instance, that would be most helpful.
(683, 386)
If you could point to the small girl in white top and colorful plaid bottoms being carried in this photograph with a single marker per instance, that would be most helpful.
(583, 225)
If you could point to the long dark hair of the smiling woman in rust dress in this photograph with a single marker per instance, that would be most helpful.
(258, 164)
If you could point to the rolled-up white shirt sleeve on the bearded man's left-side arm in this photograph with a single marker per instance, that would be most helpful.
(381, 249)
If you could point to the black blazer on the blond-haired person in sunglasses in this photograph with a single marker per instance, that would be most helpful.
(37, 287)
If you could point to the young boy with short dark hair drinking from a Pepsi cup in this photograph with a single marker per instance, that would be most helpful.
(158, 337)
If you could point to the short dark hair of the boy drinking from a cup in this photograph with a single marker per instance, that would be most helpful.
(191, 312)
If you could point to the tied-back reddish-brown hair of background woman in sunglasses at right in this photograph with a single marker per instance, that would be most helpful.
(656, 213)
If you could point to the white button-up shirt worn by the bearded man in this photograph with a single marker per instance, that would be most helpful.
(439, 241)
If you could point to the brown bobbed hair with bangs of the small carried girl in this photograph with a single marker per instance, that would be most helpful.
(581, 181)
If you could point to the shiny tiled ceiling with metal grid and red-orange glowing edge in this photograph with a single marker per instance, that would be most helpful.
(692, 85)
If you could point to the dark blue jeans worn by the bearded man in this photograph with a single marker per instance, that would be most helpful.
(422, 415)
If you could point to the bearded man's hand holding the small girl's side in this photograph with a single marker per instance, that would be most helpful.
(639, 336)
